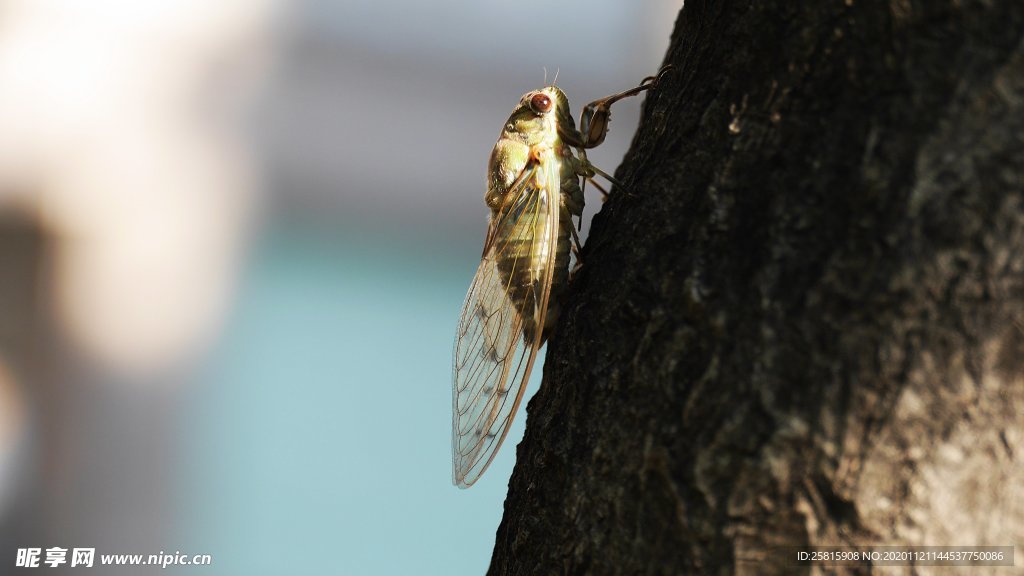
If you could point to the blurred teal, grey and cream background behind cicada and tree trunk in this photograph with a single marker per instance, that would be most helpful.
(235, 240)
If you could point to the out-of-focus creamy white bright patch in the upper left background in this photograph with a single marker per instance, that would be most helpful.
(113, 134)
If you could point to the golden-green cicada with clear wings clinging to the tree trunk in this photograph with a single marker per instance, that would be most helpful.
(535, 190)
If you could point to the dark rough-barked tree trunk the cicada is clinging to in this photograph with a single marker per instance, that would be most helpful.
(804, 324)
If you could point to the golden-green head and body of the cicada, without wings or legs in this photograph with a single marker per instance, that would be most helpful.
(528, 246)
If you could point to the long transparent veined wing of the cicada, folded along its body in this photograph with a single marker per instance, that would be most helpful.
(502, 324)
